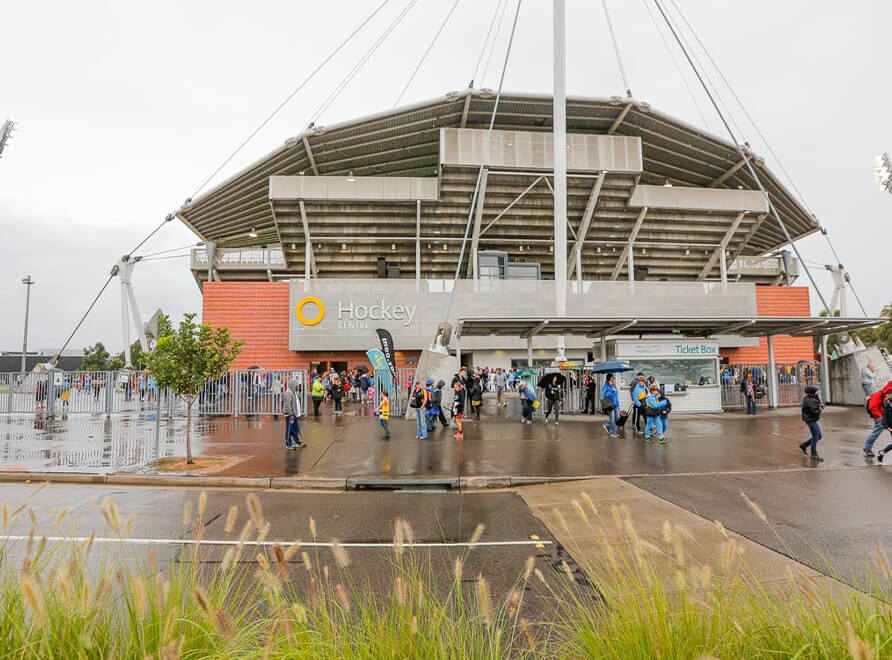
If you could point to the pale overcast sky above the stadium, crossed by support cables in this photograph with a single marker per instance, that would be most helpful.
(125, 108)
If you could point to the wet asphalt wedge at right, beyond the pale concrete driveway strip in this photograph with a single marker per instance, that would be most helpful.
(832, 520)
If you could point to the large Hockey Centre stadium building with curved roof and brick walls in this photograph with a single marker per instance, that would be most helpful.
(672, 252)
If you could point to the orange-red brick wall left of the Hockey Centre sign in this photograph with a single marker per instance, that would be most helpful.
(257, 314)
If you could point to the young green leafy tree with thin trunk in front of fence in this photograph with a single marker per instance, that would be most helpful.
(184, 359)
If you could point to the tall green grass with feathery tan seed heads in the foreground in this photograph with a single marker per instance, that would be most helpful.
(642, 598)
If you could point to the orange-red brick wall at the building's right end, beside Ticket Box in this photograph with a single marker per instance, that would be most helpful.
(777, 301)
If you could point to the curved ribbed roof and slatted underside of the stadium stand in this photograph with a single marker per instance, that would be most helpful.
(406, 142)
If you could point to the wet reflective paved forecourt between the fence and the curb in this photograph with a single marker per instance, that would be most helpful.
(352, 446)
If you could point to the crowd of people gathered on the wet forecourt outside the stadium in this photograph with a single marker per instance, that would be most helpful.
(648, 414)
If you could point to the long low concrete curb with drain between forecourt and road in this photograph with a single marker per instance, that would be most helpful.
(281, 483)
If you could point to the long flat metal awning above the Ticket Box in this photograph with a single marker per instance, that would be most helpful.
(595, 327)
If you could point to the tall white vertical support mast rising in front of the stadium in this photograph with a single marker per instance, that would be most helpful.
(560, 164)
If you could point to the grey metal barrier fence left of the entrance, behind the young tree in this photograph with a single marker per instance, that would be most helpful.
(252, 392)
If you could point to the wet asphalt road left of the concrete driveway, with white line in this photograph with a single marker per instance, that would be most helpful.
(443, 519)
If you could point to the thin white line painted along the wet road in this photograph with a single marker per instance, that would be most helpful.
(308, 544)
